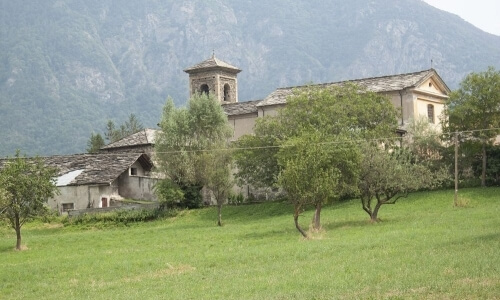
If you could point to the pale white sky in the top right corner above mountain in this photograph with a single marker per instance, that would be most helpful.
(484, 14)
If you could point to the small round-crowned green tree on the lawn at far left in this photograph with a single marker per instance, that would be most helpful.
(25, 186)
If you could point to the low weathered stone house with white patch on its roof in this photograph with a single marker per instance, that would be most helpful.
(99, 180)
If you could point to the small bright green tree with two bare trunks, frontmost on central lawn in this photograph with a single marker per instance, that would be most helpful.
(315, 172)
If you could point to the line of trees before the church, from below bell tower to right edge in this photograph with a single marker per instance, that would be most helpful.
(326, 144)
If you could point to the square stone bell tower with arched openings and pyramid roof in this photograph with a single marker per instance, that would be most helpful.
(213, 76)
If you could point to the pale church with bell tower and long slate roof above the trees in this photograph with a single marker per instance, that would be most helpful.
(418, 94)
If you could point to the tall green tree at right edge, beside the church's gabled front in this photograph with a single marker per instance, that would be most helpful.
(474, 110)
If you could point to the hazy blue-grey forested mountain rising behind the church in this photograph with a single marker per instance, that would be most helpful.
(67, 66)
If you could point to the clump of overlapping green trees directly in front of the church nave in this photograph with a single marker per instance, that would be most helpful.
(331, 143)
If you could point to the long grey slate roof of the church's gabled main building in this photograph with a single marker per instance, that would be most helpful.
(374, 84)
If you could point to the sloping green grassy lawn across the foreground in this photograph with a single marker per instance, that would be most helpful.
(423, 248)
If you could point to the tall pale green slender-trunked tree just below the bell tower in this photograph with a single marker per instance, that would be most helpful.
(188, 148)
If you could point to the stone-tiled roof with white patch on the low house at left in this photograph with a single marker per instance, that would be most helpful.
(86, 169)
